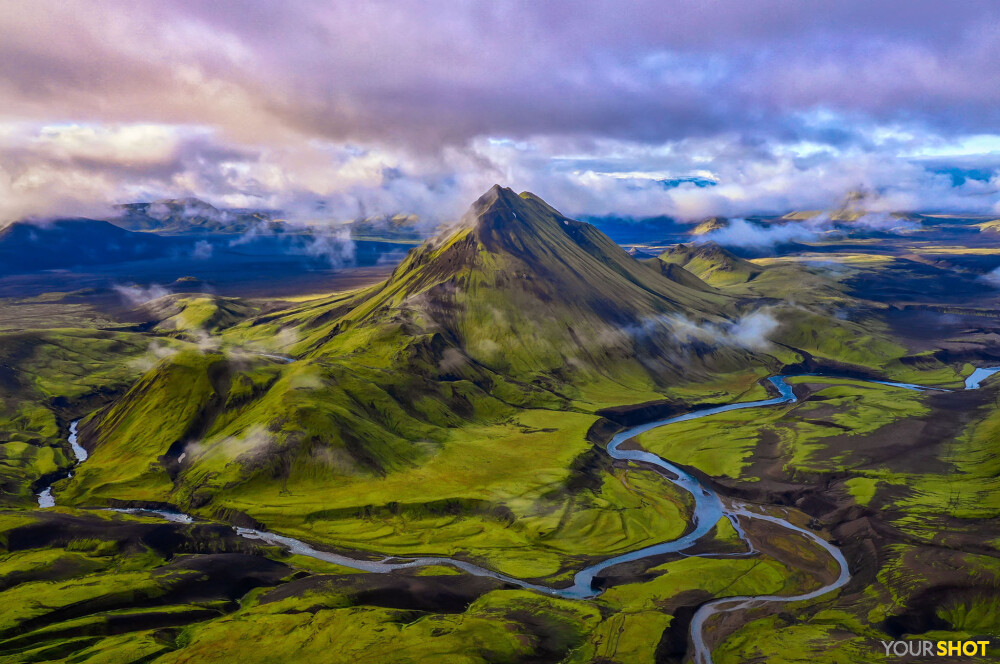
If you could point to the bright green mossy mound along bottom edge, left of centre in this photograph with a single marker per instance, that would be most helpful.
(503, 626)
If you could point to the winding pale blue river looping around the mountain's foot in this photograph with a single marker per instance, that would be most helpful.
(708, 509)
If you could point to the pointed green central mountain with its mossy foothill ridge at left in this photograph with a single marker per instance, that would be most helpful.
(517, 307)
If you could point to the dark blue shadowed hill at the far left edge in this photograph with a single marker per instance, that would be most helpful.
(67, 243)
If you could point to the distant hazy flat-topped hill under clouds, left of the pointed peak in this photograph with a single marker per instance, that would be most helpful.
(190, 215)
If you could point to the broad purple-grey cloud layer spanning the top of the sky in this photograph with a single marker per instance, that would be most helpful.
(382, 74)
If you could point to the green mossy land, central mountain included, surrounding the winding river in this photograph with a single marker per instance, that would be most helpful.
(464, 410)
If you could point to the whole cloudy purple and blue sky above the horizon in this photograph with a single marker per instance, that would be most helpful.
(335, 109)
